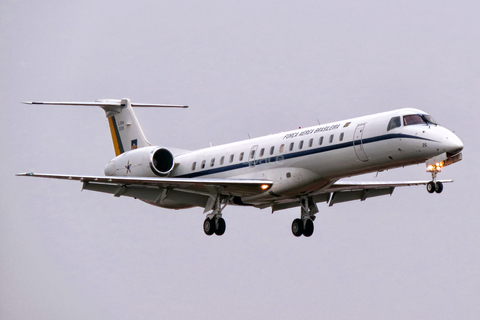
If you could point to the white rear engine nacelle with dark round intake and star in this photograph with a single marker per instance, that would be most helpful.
(143, 162)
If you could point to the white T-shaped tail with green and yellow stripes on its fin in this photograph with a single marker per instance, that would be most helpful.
(126, 132)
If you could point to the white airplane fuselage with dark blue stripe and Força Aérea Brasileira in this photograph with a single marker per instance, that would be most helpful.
(306, 160)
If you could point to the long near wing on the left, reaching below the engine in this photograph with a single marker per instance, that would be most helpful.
(187, 190)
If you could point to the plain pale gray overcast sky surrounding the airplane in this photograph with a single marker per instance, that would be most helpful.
(243, 67)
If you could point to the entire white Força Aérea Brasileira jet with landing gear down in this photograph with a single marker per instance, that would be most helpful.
(298, 168)
